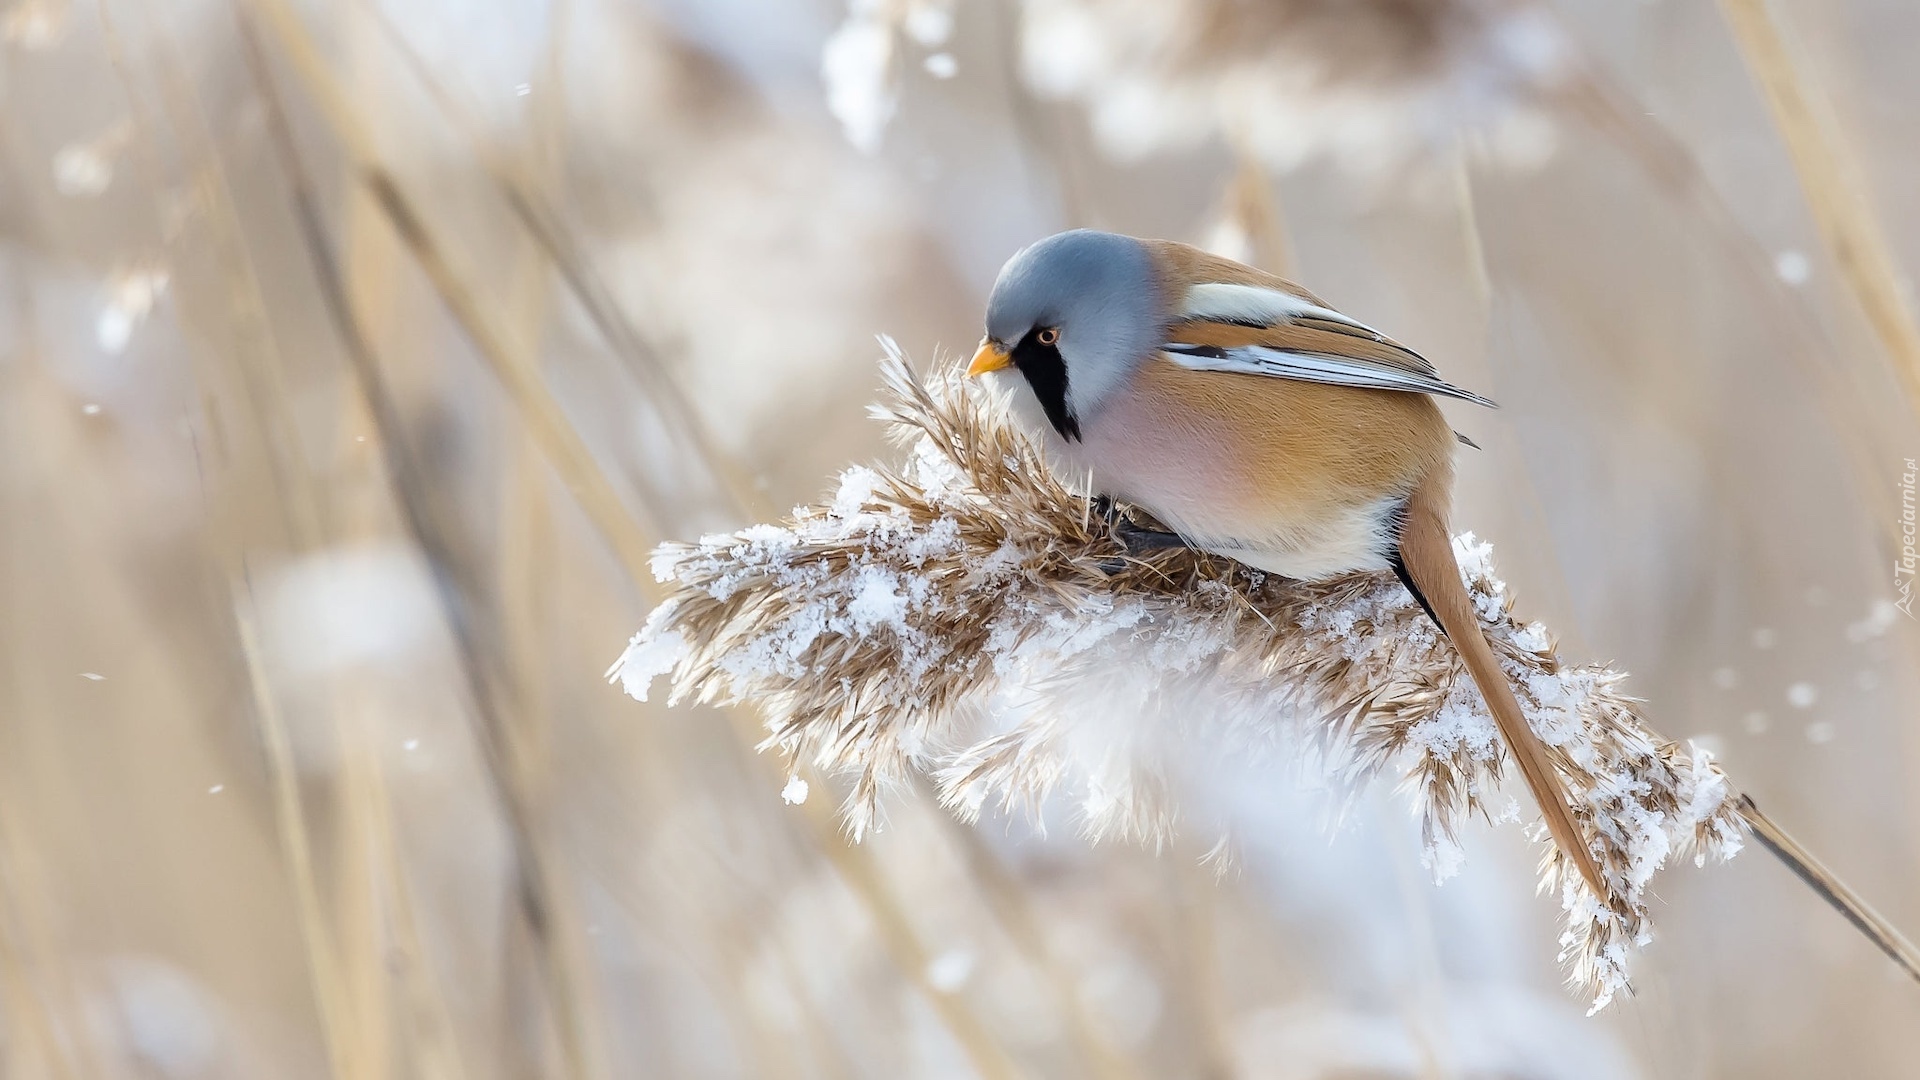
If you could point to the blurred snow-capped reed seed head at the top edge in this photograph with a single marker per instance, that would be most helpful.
(1370, 84)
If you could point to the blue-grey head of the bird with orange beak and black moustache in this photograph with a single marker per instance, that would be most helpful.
(1076, 314)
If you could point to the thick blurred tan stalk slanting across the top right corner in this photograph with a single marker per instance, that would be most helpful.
(1833, 182)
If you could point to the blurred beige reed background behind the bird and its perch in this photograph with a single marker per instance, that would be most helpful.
(356, 353)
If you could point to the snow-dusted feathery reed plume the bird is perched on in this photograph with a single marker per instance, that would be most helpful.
(969, 618)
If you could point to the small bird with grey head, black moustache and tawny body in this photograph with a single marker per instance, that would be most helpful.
(1255, 422)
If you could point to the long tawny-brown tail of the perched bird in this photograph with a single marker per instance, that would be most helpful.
(1431, 574)
